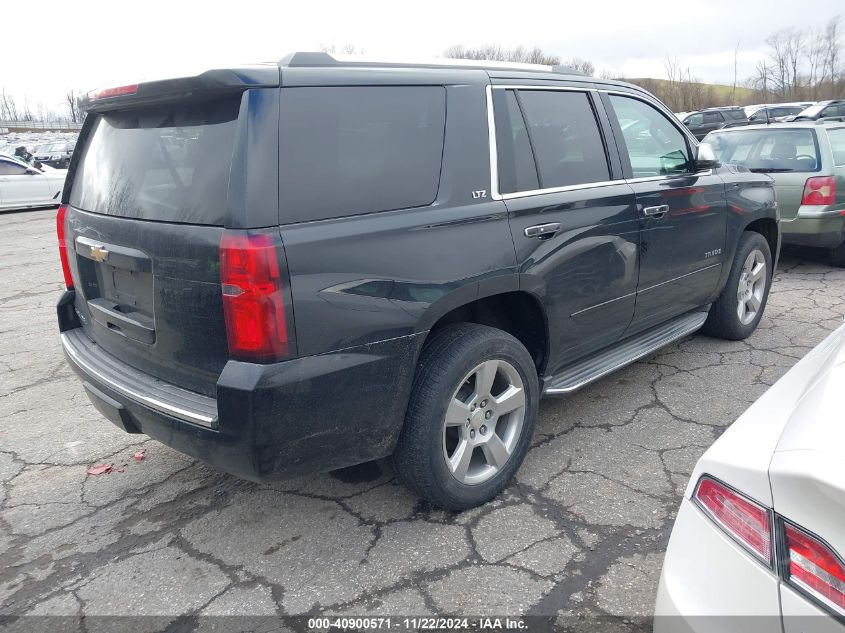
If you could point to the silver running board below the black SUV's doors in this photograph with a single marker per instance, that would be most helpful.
(623, 353)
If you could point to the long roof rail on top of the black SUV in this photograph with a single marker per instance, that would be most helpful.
(305, 59)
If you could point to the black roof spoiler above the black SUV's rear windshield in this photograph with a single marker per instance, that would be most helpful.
(221, 81)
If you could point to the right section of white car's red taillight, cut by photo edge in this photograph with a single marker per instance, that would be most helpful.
(815, 568)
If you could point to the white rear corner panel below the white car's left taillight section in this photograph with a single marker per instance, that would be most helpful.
(709, 583)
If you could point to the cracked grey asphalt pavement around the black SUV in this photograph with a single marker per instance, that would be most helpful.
(122, 521)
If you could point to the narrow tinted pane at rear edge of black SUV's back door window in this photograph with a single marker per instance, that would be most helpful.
(517, 171)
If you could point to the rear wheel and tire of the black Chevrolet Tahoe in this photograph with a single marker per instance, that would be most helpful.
(470, 418)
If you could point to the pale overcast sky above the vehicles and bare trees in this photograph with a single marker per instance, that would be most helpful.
(51, 46)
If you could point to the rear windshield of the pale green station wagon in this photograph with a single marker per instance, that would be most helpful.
(768, 150)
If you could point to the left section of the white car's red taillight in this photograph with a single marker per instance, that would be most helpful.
(749, 523)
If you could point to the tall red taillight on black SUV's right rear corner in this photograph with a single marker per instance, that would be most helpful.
(253, 296)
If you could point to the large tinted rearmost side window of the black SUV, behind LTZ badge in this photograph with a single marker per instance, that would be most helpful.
(354, 150)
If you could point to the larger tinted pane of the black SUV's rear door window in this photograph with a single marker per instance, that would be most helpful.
(565, 137)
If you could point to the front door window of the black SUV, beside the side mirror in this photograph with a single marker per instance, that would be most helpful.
(654, 145)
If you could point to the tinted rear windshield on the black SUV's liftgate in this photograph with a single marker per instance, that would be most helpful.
(169, 164)
